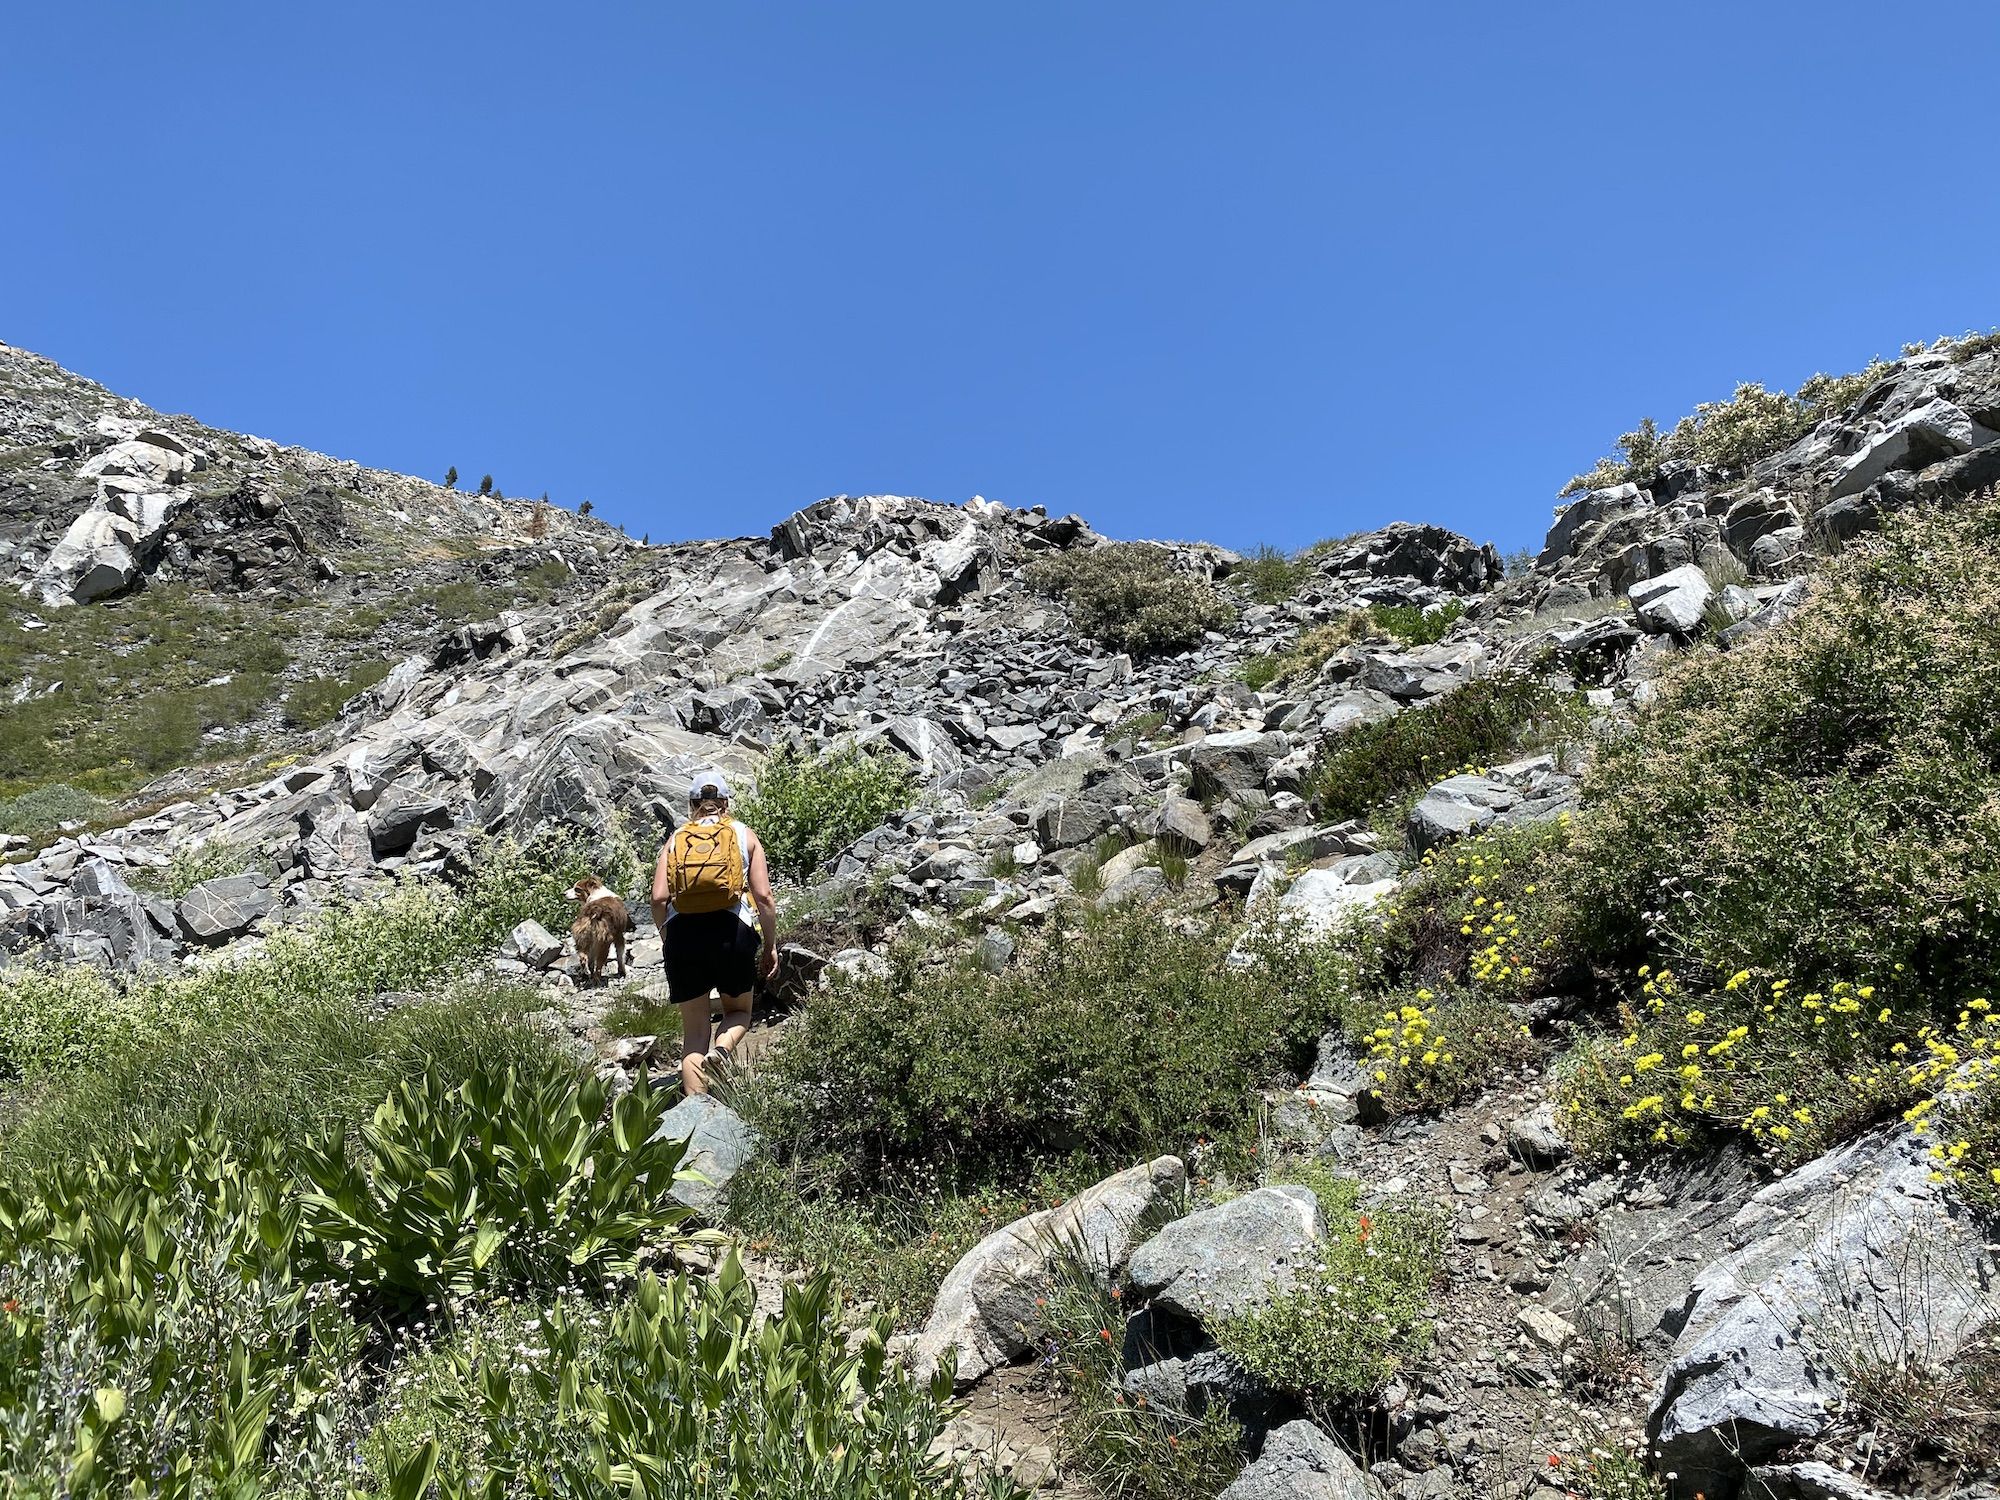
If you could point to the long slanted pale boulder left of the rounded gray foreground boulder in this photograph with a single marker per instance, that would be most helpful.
(985, 1309)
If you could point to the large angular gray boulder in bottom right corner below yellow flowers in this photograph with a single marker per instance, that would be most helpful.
(1855, 1249)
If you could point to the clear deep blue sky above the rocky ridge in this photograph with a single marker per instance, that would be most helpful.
(1255, 273)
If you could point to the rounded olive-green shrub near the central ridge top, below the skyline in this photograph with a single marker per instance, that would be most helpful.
(1131, 597)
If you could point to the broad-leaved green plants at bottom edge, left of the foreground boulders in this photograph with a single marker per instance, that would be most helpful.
(685, 1397)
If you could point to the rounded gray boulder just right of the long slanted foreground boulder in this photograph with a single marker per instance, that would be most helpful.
(1229, 1259)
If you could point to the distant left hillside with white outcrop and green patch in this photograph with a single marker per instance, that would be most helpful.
(239, 591)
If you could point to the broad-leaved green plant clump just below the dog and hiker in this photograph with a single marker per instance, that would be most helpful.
(497, 1181)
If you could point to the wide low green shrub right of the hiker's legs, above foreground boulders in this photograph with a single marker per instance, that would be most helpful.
(1117, 1035)
